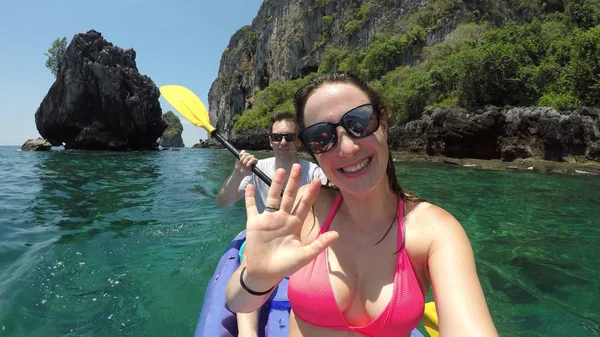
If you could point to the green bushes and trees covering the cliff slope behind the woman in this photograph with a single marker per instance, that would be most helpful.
(550, 56)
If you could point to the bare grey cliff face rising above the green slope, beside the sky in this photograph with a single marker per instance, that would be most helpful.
(287, 40)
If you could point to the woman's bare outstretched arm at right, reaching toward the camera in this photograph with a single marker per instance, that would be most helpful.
(461, 306)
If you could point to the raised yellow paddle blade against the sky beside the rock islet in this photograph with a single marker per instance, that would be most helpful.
(188, 104)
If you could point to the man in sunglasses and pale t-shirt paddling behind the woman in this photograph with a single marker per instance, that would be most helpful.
(284, 142)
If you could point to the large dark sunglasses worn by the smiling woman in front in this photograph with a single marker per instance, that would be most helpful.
(359, 122)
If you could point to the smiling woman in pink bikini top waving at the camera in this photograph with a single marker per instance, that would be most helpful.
(362, 256)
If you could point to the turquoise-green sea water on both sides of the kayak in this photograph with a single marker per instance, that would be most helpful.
(123, 244)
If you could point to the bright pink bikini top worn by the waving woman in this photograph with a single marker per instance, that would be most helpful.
(312, 299)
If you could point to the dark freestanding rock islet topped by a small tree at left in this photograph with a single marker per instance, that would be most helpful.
(100, 101)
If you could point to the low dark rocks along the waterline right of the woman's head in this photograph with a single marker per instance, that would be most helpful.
(503, 133)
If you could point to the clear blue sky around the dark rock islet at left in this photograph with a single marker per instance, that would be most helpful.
(177, 42)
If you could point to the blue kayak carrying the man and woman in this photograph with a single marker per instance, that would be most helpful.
(216, 320)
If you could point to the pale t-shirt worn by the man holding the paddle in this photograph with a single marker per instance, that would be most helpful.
(310, 171)
